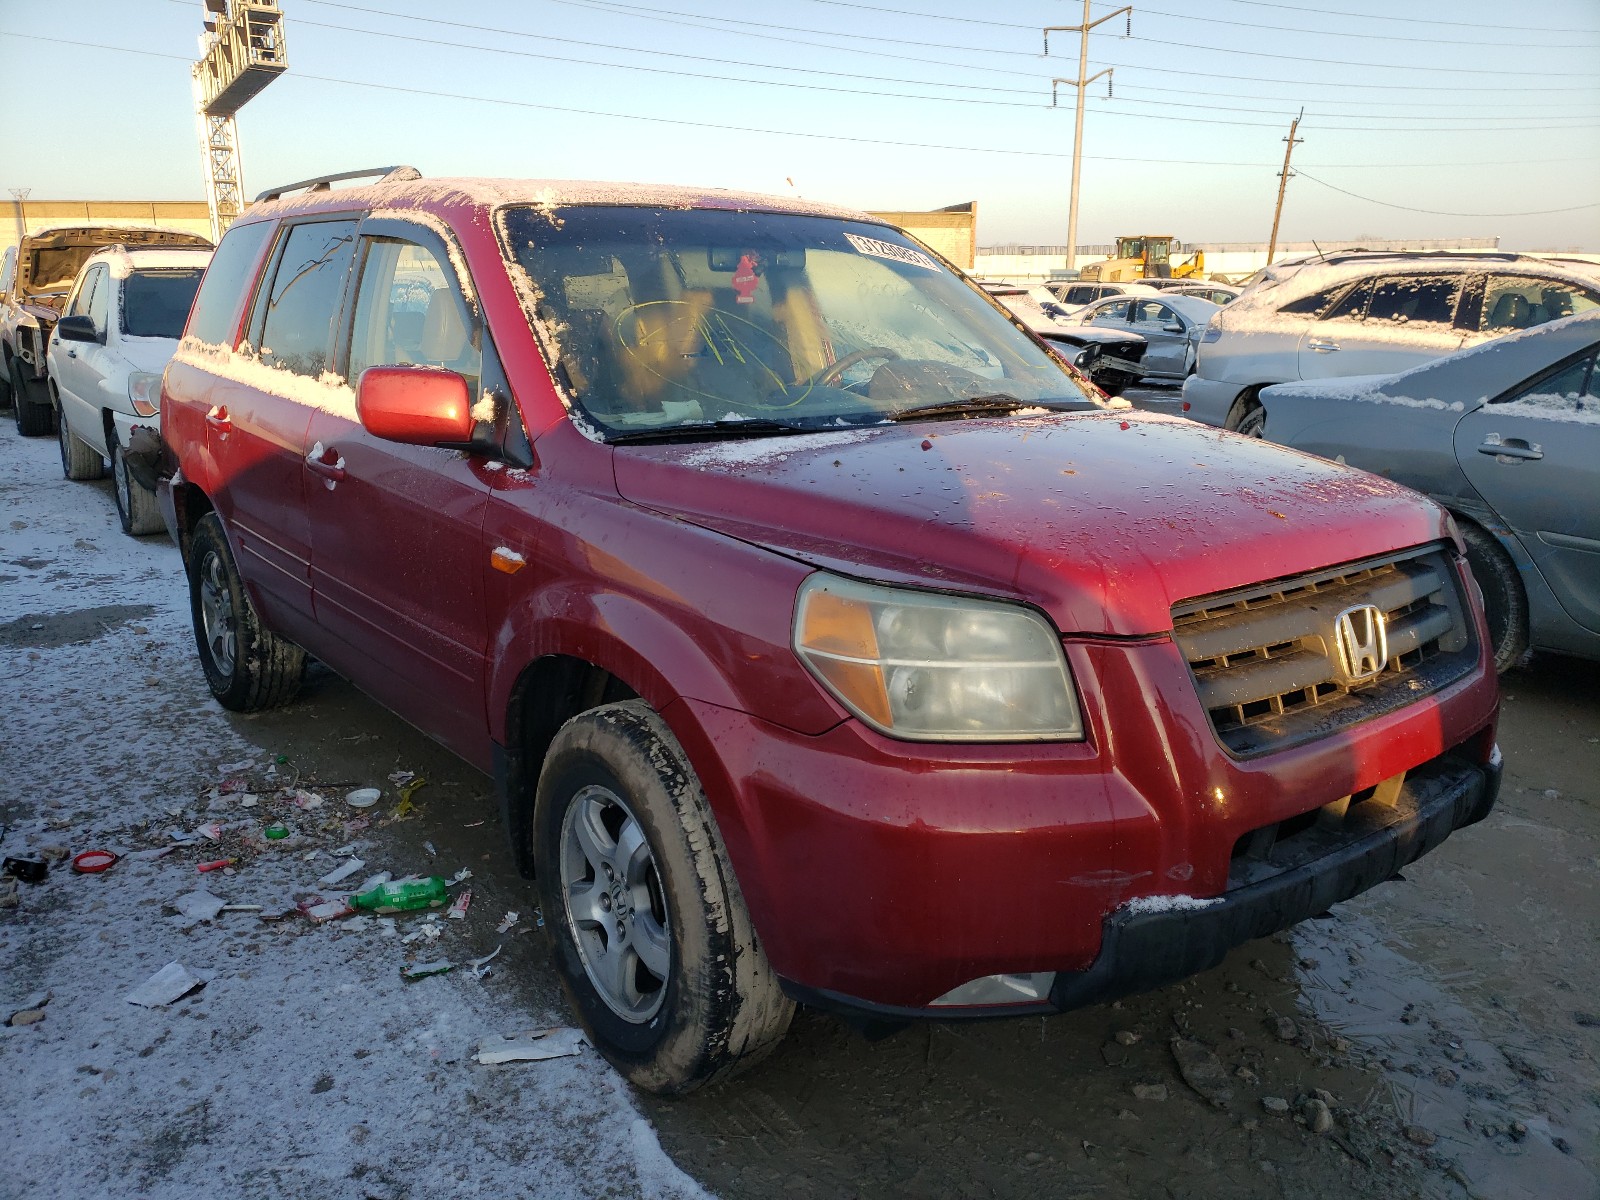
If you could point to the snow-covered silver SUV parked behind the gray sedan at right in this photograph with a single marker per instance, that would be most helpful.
(1364, 313)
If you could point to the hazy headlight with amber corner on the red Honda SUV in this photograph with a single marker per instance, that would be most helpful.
(935, 668)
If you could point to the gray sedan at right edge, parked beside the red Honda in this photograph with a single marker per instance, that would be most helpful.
(1508, 438)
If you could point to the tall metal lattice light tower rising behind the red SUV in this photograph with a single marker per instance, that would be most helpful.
(241, 52)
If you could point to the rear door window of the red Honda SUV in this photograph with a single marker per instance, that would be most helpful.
(295, 319)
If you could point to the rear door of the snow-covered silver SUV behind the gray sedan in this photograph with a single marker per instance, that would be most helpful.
(1383, 326)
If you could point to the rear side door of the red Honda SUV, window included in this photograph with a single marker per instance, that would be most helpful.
(262, 410)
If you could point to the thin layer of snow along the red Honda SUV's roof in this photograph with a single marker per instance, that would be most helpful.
(548, 194)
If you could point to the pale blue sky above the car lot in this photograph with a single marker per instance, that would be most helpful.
(914, 105)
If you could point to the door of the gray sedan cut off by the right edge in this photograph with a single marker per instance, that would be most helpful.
(1535, 460)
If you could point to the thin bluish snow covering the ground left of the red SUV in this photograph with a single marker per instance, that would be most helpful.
(306, 1066)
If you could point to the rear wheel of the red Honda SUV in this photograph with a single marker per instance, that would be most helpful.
(247, 666)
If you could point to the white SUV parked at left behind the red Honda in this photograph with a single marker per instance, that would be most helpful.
(106, 356)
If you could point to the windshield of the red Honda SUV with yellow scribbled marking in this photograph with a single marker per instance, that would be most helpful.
(673, 319)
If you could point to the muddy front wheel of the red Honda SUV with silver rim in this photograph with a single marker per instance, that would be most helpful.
(649, 929)
